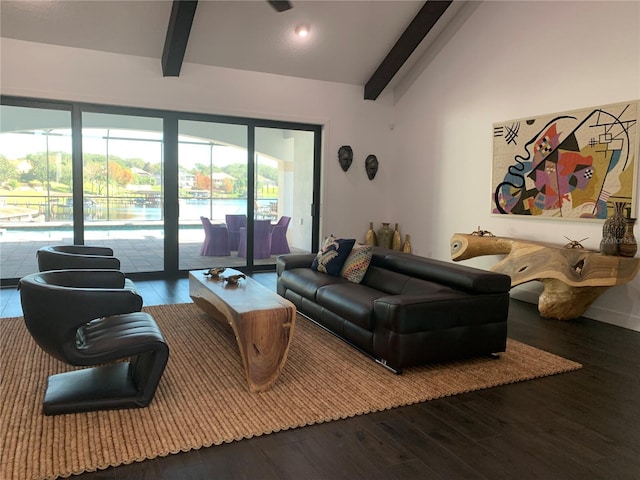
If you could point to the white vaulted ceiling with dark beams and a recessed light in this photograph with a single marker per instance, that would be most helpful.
(349, 42)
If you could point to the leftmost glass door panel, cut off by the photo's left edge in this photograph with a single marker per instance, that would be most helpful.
(36, 179)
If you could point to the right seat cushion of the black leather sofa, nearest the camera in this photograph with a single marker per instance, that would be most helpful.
(350, 301)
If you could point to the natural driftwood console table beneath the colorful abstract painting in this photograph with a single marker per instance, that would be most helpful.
(573, 278)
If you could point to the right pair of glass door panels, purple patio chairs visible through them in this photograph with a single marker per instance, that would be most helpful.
(245, 193)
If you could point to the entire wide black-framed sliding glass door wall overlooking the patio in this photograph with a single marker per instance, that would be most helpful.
(167, 191)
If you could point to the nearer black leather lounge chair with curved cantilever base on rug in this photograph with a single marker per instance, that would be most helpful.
(91, 318)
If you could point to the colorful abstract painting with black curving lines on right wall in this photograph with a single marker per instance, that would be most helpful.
(572, 165)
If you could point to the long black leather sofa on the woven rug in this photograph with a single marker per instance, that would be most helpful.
(408, 310)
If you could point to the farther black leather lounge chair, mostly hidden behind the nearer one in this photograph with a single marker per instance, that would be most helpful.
(59, 257)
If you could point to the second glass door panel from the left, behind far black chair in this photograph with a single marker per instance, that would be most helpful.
(123, 194)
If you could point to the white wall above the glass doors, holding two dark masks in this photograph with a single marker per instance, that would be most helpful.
(51, 72)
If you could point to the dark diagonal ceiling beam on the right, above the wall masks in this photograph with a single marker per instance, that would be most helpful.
(422, 23)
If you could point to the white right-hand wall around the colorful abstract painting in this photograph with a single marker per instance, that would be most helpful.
(509, 60)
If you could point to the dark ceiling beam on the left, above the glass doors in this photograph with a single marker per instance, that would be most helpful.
(175, 44)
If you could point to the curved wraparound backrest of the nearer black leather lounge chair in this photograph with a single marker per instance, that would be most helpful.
(55, 303)
